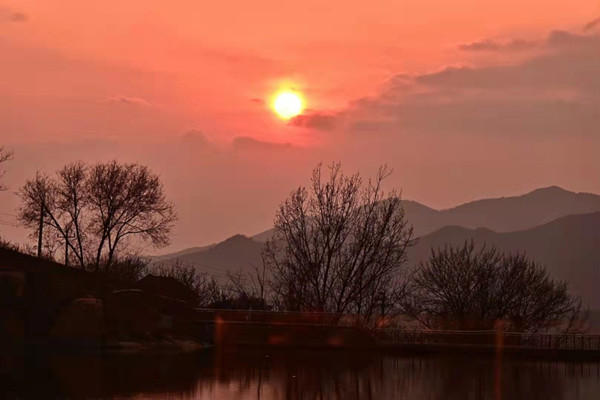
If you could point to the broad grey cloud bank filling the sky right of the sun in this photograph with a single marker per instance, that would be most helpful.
(555, 92)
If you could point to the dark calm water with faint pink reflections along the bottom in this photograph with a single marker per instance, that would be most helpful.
(307, 375)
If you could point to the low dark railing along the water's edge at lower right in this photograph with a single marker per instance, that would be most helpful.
(515, 339)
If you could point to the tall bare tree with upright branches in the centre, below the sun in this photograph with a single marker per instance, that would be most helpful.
(340, 245)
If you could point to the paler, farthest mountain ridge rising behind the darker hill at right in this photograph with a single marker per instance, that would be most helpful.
(505, 214)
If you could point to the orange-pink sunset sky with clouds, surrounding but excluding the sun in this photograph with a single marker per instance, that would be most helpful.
(464, 99)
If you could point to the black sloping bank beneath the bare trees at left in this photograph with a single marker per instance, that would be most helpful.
(52, 306)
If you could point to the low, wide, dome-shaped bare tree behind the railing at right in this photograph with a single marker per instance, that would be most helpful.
(469, 288)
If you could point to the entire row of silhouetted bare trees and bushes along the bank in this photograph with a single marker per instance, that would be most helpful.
(339, 246)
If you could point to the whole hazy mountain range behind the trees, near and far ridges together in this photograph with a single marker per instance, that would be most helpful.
(555, 227)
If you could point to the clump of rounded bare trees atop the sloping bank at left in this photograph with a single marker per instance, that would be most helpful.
(95, 211)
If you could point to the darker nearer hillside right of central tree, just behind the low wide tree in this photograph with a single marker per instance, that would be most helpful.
(569, 247)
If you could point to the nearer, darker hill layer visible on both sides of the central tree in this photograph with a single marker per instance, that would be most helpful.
(569, 247)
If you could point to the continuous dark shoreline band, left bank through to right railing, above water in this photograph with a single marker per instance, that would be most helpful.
(57, 307)
